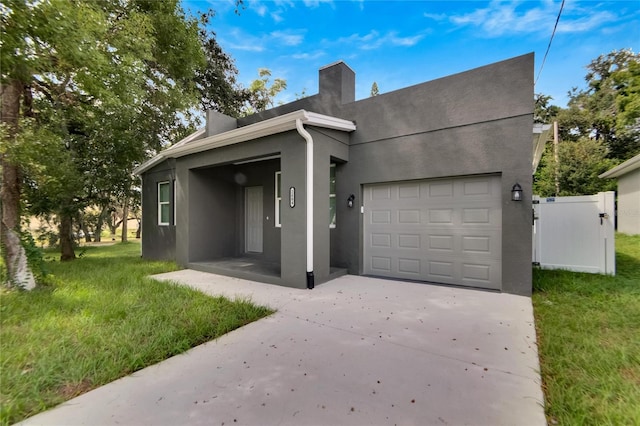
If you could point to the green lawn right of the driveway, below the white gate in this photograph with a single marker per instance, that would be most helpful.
(589, 341)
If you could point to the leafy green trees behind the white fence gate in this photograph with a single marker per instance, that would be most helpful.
(599, 129)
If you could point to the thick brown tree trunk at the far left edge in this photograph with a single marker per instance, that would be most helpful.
(15, 258)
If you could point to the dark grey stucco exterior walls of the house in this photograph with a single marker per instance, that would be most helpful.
(473, 123)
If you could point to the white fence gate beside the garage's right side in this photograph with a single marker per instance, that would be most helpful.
(575, 233)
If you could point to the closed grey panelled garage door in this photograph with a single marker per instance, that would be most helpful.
(446, 231)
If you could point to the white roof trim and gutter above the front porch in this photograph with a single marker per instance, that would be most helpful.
(268, 127)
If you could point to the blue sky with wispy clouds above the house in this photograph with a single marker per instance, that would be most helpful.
(401, 43)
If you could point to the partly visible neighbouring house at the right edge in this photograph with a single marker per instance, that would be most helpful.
(628, 208)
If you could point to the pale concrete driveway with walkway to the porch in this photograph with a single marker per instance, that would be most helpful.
(353, 351)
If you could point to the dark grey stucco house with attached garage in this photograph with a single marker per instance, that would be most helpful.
(413, 184)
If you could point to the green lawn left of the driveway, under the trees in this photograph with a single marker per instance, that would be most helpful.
(98, 319)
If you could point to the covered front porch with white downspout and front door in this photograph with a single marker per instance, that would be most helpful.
(259, 210)
